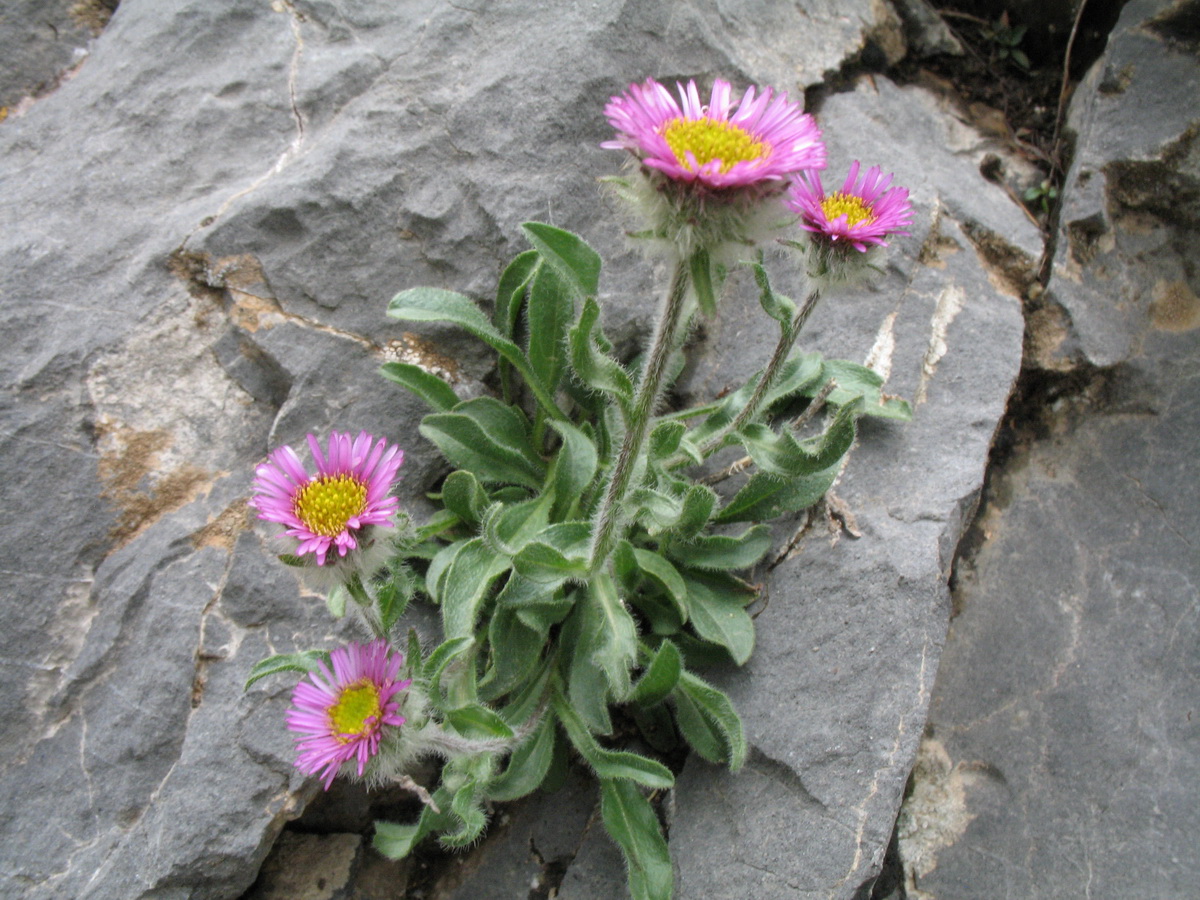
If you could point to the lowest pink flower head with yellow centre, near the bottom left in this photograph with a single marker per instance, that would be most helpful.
(340, 713)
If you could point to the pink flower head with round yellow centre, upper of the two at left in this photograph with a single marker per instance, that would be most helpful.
(350, 493)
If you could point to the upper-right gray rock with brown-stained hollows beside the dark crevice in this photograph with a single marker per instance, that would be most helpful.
(1137, 167)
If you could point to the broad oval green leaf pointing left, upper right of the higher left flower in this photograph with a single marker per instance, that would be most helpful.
(490, 440)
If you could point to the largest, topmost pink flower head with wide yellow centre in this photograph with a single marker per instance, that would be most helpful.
(766, 139)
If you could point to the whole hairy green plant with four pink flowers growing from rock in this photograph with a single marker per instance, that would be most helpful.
(579, 559)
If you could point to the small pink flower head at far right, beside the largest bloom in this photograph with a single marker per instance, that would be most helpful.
(859, 214)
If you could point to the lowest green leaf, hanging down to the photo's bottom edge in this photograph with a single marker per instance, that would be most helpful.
(631, 820)
